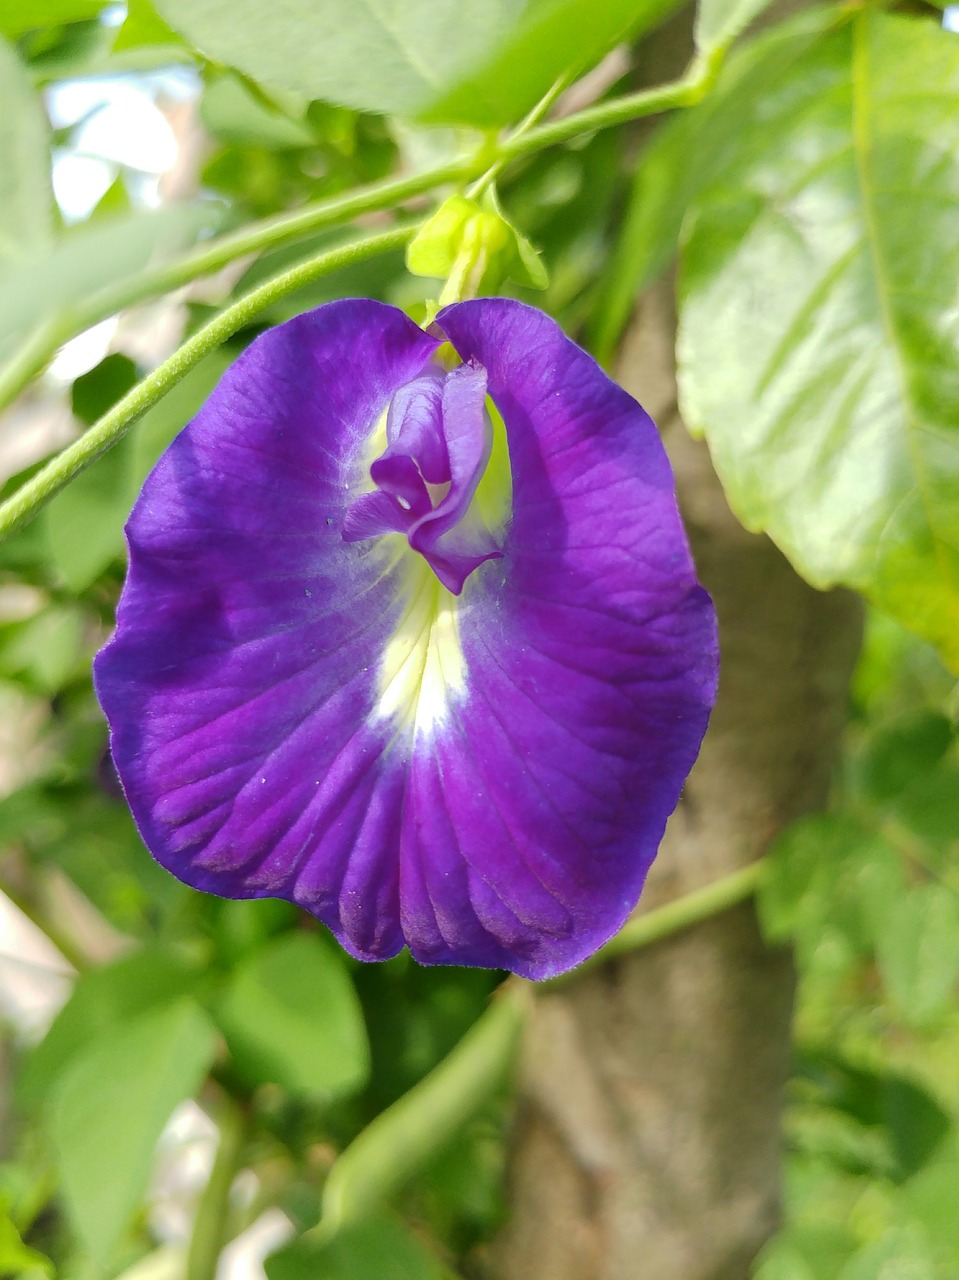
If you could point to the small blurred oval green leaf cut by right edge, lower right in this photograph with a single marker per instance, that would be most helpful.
(919, 952)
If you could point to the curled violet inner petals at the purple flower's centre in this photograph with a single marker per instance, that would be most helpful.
(439, 445)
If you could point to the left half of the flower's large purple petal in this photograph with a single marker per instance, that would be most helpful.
(240, 682)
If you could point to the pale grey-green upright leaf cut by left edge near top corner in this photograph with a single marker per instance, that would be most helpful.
(26, 198)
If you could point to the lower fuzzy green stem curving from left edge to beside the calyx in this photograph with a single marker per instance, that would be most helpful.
(115, 426)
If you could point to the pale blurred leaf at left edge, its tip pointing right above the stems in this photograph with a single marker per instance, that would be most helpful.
(90, 258)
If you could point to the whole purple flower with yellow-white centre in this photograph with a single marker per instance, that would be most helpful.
(431, 669)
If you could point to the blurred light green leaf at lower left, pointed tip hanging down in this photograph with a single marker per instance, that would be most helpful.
(111, 1108)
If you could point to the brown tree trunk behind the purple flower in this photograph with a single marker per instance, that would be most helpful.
(646, 1141)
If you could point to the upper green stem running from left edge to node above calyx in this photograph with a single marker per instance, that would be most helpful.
(270, 234)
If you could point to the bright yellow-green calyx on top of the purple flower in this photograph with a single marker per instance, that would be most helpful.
(476, 248)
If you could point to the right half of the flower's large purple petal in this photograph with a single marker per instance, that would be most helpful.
(591, 657)
